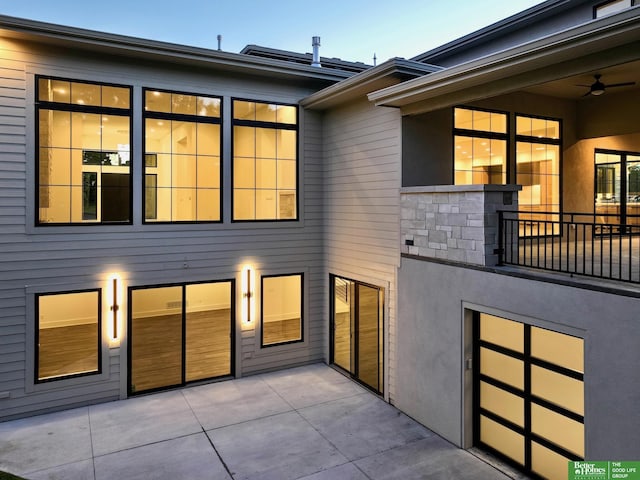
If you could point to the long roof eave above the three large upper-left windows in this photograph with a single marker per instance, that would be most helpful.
(132, 47)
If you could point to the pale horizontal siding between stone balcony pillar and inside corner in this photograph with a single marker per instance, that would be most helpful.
(362, 171)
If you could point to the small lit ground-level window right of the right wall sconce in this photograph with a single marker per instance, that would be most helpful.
(281, 309)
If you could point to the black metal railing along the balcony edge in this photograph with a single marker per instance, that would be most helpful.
(595, 245)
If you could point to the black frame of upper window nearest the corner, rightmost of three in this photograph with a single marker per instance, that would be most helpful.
(272, 125)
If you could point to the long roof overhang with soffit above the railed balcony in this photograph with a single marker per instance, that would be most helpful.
(601, 43)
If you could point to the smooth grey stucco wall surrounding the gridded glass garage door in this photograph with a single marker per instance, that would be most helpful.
(432, 298)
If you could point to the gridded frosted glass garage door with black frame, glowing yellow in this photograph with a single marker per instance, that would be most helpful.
(529, 395)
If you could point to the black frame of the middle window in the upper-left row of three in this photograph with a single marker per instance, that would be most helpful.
(185, 118)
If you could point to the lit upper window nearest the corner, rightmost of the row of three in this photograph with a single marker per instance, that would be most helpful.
(265, 167)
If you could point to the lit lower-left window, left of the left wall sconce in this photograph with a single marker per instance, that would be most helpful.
(67, 334)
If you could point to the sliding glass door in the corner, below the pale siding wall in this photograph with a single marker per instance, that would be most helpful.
(357, 333)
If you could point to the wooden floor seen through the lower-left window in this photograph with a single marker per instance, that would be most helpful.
(67, 350)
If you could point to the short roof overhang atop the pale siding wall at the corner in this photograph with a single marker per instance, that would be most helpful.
(381, 76)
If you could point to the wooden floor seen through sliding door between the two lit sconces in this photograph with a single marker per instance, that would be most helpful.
(156, 348)
